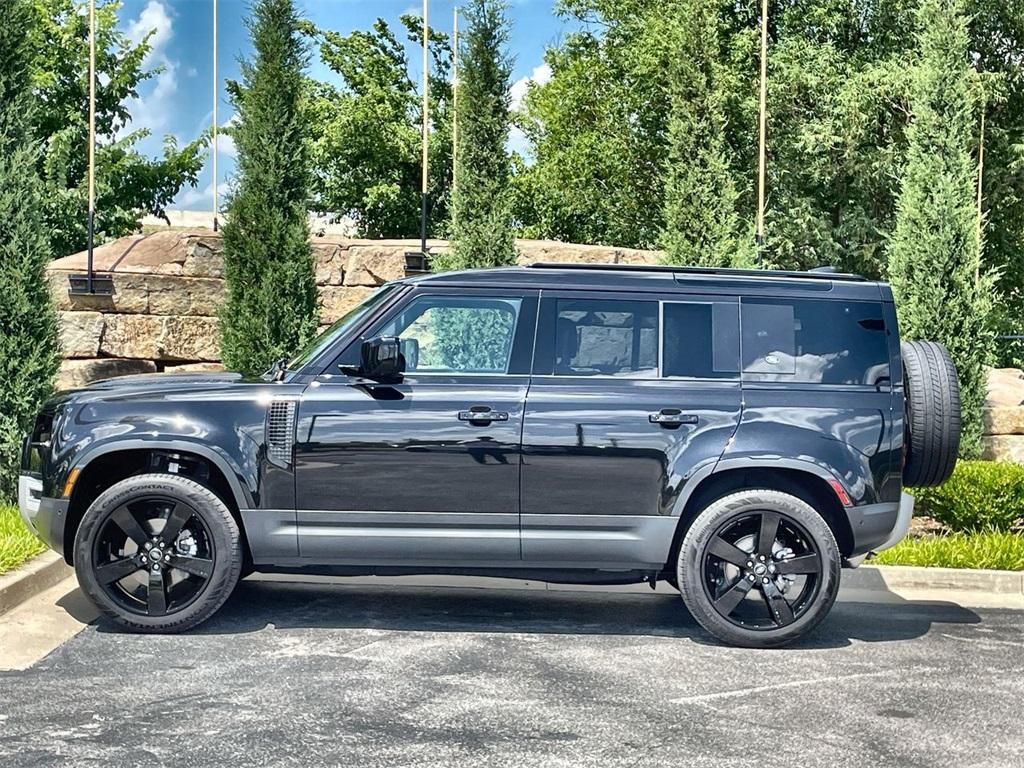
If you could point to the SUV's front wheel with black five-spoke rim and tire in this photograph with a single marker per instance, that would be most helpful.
(155, 577)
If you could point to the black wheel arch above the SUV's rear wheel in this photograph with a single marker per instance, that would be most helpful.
(802, 480)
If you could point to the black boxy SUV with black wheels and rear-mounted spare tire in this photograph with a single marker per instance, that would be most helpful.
(740, 435)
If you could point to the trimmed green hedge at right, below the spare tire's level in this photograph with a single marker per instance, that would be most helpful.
(978, 496)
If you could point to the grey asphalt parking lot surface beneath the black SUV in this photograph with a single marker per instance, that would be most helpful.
(353, 675)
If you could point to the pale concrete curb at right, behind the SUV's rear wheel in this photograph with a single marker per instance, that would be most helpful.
(889, 578)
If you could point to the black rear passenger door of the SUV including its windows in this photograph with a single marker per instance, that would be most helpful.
(631, 395)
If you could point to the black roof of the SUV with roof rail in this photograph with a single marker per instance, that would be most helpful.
(663, 279)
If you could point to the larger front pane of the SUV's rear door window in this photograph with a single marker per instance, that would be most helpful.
(599, 337)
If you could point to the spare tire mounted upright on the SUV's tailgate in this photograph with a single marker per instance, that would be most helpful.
(933, 413)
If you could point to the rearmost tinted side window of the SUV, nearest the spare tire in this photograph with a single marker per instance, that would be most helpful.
(827, 343)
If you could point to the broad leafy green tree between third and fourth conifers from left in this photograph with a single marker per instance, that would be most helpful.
(598, 130)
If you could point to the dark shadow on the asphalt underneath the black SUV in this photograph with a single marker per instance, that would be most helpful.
(262, 605)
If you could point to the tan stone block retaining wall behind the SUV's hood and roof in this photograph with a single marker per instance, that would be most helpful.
(168, 287)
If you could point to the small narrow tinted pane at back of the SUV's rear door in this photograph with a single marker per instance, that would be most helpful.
(702, 342)
